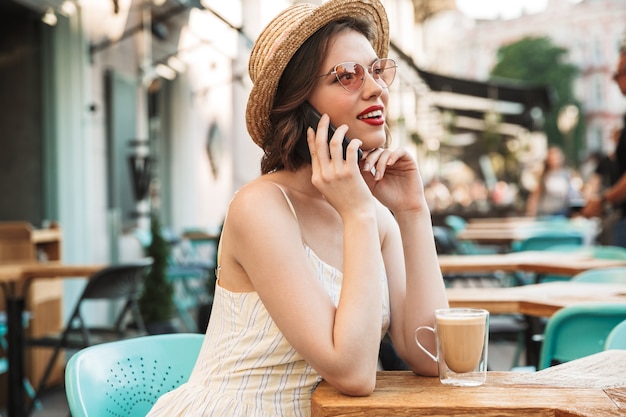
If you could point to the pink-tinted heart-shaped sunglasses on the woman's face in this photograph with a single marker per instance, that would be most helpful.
(351, 75)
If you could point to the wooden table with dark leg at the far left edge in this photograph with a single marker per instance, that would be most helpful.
(15, 280)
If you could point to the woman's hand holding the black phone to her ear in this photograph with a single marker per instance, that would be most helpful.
(337, 179)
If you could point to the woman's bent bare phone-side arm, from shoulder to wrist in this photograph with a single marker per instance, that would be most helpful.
(341, 343)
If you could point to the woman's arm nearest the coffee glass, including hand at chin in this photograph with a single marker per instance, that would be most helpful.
(415, 281)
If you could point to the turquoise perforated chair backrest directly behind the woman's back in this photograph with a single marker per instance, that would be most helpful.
(126, 377)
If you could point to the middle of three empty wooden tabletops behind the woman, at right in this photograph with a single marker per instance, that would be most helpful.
(528, 261)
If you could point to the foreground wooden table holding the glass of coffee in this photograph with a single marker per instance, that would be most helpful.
(591, 386)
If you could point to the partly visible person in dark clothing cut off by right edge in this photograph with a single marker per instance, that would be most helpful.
(615, 195)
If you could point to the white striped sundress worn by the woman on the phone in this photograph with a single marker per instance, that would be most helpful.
(246, 367)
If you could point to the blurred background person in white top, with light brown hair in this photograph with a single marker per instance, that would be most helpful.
(555, 189)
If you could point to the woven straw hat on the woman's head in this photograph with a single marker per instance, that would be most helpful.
(280, 40)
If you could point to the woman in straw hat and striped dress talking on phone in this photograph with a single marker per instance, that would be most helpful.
(319, 260)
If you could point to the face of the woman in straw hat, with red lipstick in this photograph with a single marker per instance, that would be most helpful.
(363, 110)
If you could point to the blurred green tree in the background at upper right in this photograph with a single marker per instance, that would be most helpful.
(537, 60)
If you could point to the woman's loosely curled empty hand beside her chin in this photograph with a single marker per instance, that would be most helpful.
(394, 179)
